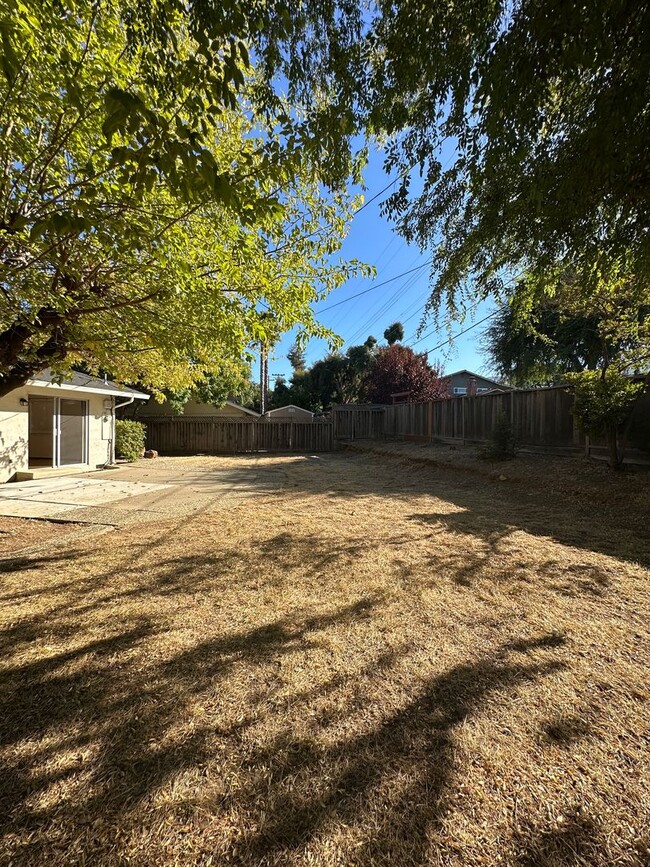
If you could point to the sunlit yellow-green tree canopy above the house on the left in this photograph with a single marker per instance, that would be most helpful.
(143, 229)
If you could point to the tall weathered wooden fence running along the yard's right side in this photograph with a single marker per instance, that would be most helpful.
(539, 418)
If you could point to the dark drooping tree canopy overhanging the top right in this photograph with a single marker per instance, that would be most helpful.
(547, 108)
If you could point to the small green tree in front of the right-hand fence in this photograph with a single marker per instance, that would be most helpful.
(603, 404)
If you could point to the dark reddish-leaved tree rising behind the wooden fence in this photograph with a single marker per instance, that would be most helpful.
(399, 369)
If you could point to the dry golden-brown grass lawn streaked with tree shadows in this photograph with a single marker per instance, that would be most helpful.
(379, 664)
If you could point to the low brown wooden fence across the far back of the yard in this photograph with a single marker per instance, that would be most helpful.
(214, 435)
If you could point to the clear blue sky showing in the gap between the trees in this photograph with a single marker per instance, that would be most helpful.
(372, 239)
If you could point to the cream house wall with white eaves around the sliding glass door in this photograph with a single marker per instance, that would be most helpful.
(14, 428)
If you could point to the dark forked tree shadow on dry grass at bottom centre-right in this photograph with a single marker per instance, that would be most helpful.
(393, 779)
